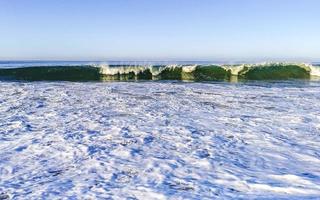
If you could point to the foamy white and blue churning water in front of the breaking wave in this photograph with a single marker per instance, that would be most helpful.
(159, 140)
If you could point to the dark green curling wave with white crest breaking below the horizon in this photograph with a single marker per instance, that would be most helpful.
(101, 72)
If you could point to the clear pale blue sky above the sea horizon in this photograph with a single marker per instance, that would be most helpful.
(160, 30)
